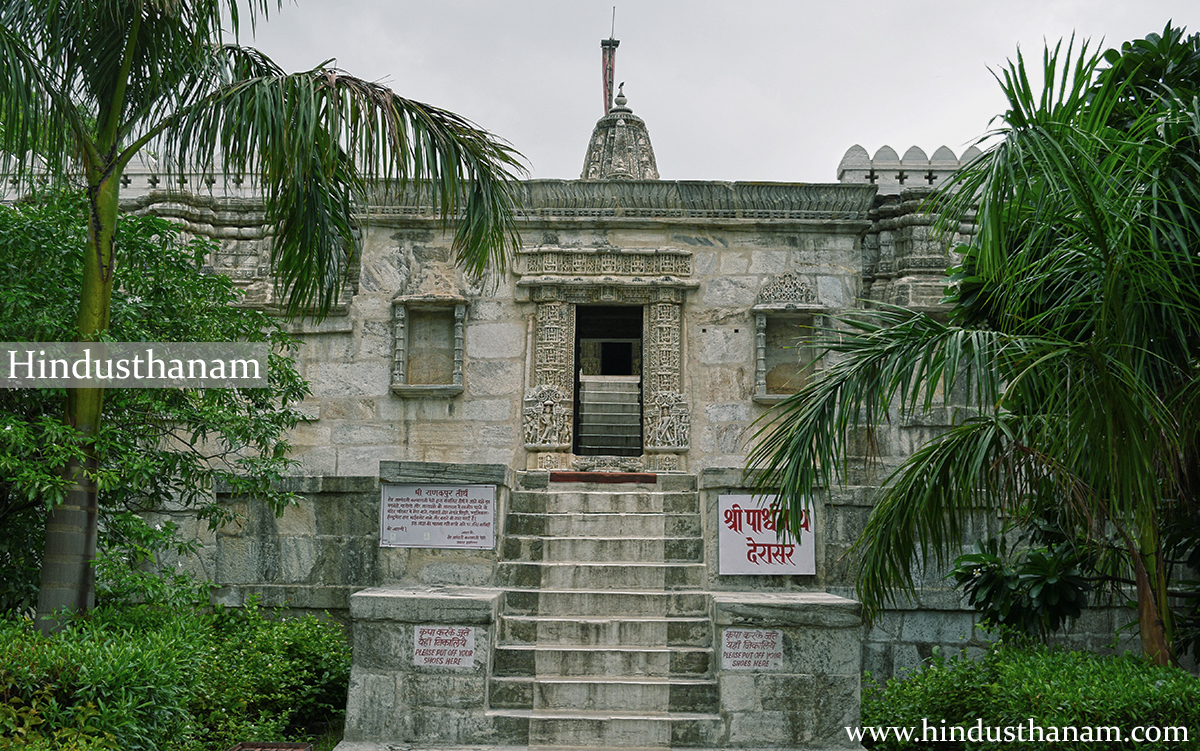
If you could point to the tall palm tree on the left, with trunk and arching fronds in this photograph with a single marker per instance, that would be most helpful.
(87, 87)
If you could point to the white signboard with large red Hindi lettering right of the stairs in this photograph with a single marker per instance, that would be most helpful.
(748, 542)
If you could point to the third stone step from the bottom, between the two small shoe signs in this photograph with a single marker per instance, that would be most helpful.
(545, 660)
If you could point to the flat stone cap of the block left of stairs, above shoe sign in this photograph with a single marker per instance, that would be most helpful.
(445, 605)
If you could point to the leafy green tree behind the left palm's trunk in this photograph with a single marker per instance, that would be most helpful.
(158, 446)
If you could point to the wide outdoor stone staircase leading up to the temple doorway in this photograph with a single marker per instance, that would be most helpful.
(605, 638)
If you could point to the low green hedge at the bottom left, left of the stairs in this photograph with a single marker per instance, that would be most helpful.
(153, 677)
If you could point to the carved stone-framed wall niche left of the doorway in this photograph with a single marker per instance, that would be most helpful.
(428, 346)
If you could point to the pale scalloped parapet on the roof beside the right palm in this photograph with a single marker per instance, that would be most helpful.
(892, 175)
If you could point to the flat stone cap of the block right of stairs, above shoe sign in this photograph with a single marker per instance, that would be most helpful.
(767, 610)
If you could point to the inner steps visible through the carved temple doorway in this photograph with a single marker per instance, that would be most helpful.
(610, 420)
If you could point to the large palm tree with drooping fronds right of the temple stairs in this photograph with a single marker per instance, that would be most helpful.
(1075, 332)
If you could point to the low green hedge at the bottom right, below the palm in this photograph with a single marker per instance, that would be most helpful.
(1021, 681)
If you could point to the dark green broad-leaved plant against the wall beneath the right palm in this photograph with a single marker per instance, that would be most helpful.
(1035, 591)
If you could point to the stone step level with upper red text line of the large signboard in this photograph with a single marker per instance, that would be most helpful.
(604, 525)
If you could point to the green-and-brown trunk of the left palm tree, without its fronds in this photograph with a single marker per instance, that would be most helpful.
(71, 528)
